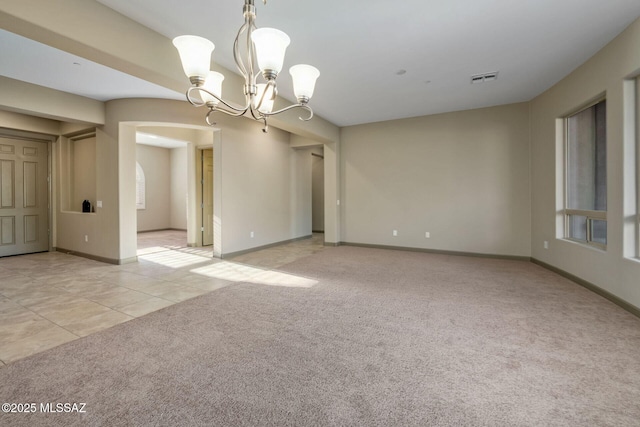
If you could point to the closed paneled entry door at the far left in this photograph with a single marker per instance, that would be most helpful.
(24, 201)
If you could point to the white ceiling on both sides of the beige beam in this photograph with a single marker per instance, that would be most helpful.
(379, 60)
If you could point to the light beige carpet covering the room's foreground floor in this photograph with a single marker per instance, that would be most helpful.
(386, 338)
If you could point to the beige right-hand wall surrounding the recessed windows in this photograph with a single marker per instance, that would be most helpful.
(608, 72)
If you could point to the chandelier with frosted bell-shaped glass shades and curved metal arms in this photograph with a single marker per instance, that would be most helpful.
(264, 47)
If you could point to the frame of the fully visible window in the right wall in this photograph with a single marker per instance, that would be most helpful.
(590, 215)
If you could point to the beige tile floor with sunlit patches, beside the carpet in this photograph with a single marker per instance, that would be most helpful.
(50, 298)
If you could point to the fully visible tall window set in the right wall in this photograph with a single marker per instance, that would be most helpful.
(586, 176)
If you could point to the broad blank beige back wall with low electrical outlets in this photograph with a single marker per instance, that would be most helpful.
(463, 177)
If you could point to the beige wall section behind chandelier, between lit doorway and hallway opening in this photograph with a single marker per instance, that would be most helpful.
(255, 187)
